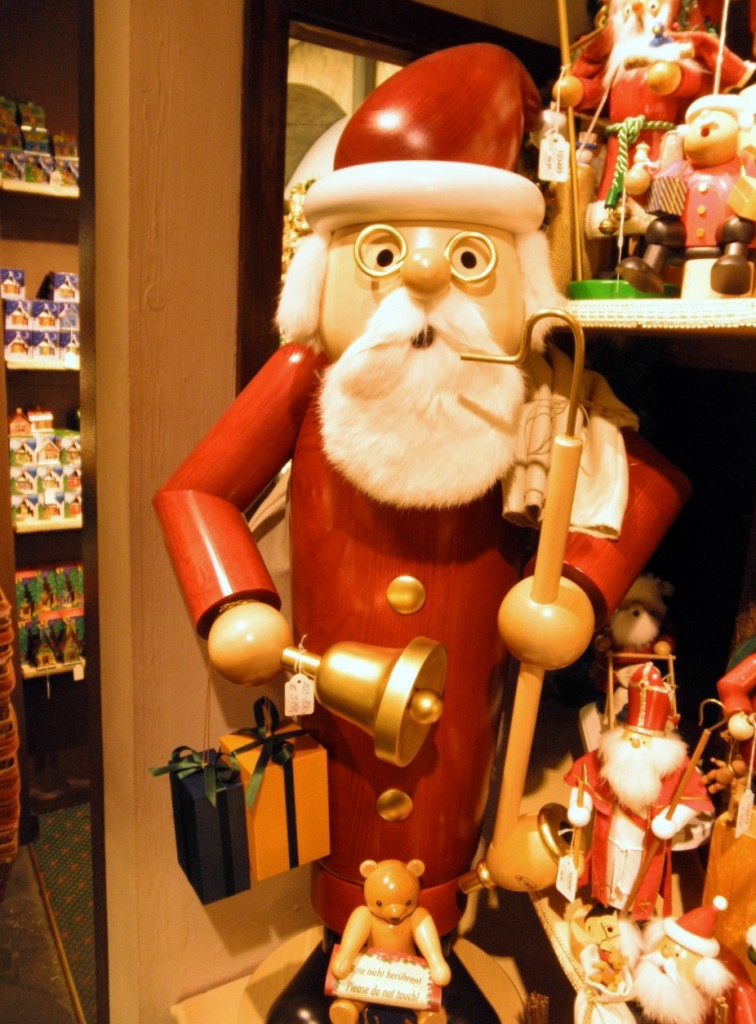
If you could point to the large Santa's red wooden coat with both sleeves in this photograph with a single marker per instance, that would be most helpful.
(346, 549)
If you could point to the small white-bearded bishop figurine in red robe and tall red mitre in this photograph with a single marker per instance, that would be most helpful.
(627, 789)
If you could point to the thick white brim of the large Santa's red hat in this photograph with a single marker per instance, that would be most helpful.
(426, 190)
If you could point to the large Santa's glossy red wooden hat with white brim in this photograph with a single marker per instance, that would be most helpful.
(440, 140)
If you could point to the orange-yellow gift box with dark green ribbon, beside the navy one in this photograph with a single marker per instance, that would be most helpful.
(287, 825)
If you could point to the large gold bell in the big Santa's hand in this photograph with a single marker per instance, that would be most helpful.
(395, 695)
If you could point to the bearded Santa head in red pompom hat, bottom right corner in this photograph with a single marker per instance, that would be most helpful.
(681, 976)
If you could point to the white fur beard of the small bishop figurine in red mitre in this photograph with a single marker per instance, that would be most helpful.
(636, 775)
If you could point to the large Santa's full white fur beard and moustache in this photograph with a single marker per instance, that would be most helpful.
(417, 428)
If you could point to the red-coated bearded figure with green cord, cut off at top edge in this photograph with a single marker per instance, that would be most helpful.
(642, 65)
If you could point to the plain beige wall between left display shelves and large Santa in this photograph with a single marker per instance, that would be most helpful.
(167, 202)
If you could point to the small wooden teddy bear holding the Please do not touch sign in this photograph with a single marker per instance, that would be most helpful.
(391, 920)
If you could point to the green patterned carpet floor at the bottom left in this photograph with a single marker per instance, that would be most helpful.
(64, 856)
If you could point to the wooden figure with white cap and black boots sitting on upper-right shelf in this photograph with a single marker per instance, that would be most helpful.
(691, 202)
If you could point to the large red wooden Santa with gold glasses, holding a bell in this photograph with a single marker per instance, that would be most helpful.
(427, 244)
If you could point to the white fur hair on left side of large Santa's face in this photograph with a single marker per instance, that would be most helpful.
(300, 305)
